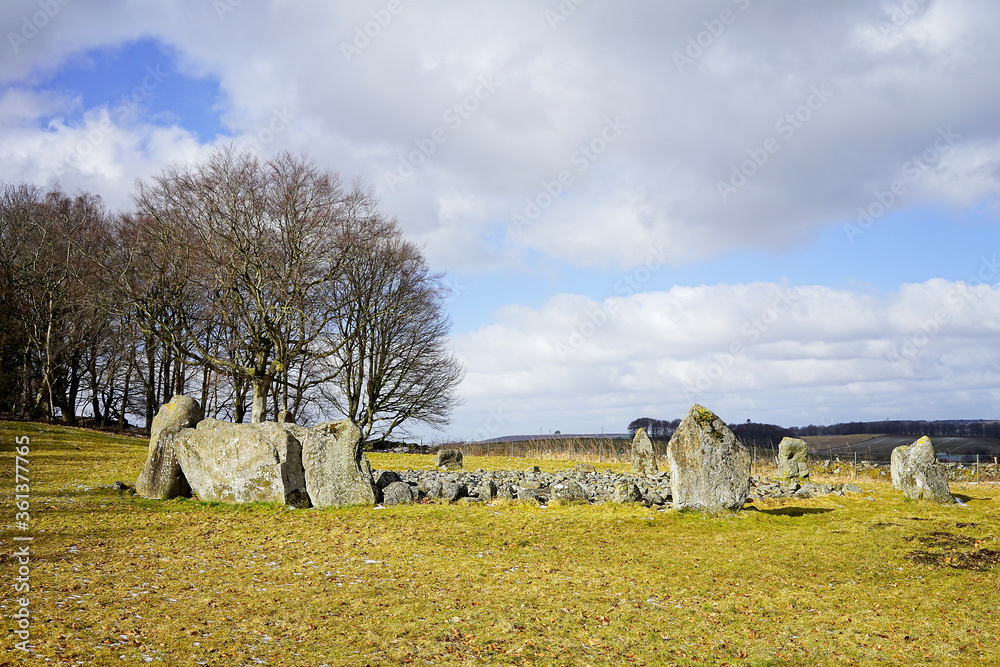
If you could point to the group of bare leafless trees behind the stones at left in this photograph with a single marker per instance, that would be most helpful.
(257, 286)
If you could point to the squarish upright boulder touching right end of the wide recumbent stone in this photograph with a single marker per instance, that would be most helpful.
(337, 471)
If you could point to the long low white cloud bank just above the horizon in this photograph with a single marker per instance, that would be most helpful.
(765, 351)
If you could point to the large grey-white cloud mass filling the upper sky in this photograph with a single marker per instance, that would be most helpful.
(893, 86)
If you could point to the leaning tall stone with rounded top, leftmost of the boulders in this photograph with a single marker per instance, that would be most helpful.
(161, 476)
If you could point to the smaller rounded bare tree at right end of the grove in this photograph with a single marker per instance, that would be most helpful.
(394, 365)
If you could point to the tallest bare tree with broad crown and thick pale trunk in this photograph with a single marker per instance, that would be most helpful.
(259, 243)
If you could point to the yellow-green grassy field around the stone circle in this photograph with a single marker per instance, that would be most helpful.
(863, 579)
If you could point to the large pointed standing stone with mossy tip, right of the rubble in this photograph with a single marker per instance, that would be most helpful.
(709, 466)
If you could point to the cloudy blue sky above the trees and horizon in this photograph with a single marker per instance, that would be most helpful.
(785, 211)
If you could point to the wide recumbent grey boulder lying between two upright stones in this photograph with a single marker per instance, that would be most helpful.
(243, 463)
